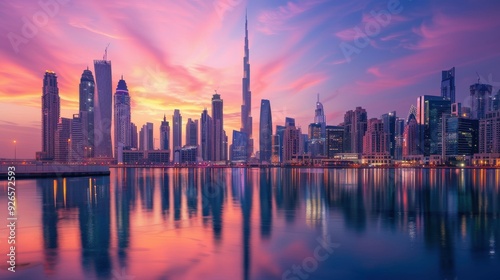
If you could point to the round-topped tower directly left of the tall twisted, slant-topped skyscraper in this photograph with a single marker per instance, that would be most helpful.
(87, 90)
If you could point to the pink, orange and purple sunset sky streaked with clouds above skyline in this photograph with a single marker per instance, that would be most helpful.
(380, 55)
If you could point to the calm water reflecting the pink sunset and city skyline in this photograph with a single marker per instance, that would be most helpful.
(258, 224)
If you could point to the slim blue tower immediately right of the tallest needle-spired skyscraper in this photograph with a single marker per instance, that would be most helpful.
(265, 131)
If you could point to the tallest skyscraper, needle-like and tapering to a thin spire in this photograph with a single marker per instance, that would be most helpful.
(246, 107)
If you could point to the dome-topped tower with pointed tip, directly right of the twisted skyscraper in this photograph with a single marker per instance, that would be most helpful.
(122, 117)
